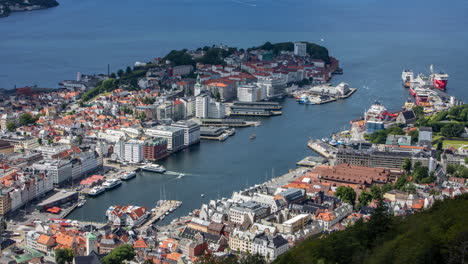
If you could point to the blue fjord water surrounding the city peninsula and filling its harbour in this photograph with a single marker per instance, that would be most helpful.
(374, 40)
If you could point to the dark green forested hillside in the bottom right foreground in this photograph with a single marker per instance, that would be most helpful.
(438, 235)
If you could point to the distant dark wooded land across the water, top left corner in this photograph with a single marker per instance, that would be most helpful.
(8, 6)
